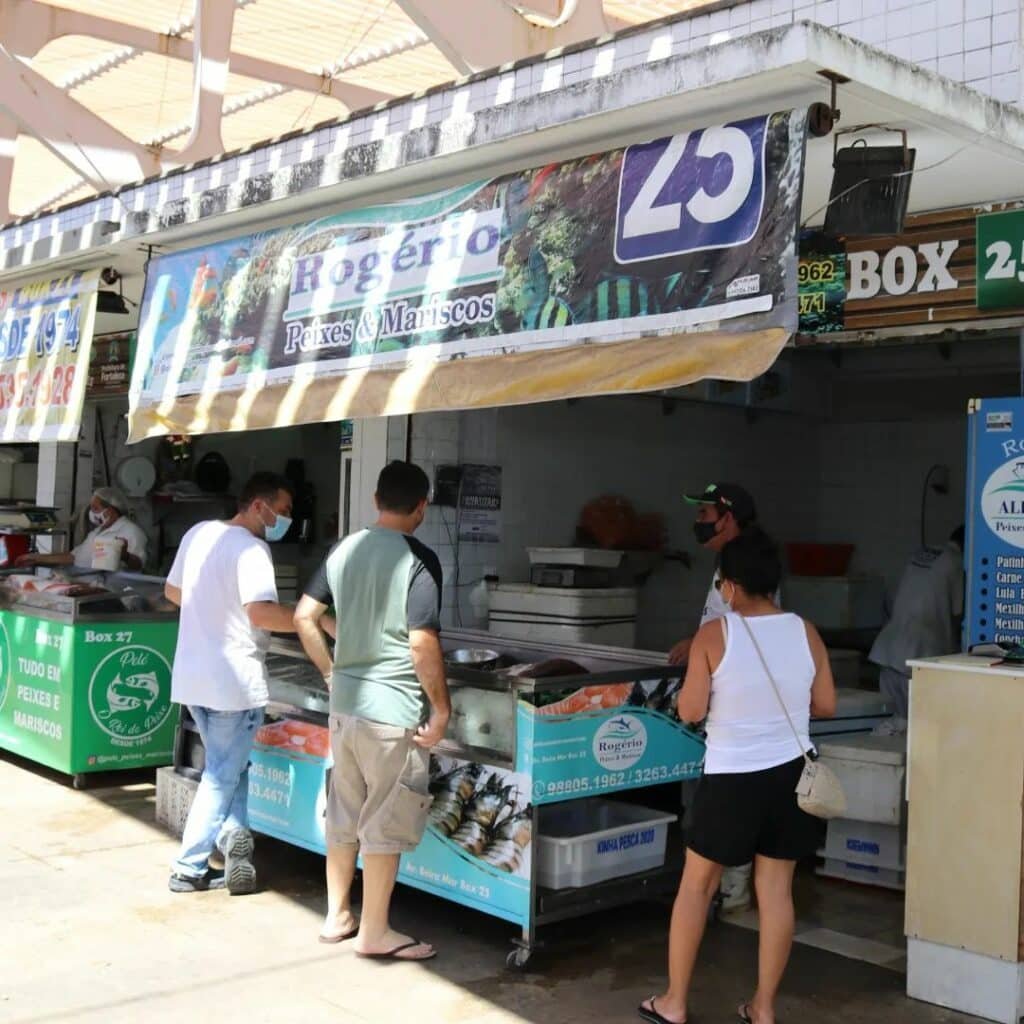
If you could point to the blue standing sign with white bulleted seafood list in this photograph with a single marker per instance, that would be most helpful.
(995, 557)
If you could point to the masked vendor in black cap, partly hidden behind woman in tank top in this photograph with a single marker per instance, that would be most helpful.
(723, 513)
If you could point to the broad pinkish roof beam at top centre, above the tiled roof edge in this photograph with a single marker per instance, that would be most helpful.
(456, 30)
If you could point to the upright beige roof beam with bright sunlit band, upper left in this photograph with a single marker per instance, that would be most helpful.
(211, 59)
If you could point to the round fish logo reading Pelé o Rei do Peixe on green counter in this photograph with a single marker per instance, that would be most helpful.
(131, 694)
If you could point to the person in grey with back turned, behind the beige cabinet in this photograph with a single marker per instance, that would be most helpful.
(928, 604)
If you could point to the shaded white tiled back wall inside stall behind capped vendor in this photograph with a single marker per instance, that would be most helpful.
(855, 476)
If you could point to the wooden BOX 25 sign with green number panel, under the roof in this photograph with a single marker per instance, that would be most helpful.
(947, 268)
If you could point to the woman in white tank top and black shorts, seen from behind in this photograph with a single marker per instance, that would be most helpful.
(746, 806)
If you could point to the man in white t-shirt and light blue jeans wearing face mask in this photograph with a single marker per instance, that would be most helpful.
(224, 581)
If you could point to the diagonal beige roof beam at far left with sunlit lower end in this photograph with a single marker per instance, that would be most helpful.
(94, 149)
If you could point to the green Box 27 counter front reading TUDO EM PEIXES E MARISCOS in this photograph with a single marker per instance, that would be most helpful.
(82, 699)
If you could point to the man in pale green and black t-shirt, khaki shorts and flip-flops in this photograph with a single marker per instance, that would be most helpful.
(390, 706)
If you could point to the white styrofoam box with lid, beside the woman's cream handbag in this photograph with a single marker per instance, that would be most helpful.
(873, 772)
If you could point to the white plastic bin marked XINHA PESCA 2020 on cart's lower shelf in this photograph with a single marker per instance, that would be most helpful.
(582, 842)
